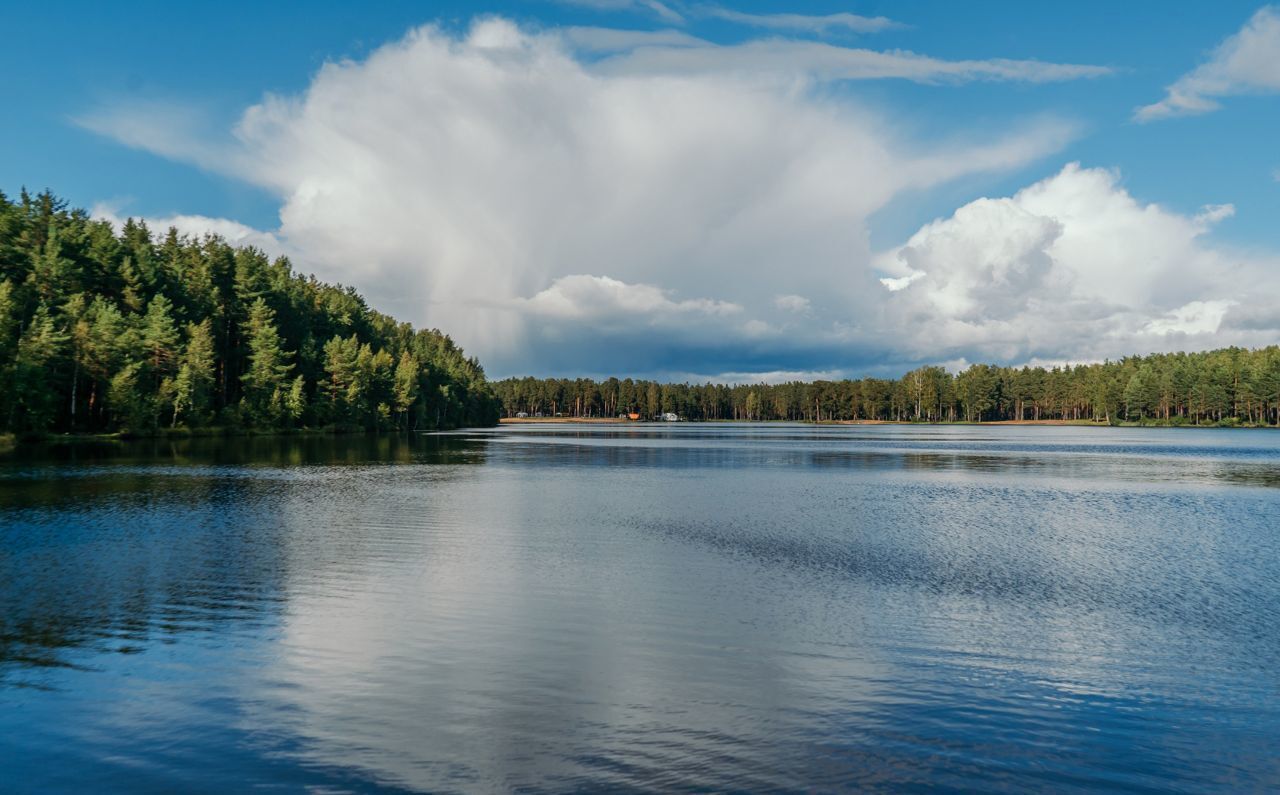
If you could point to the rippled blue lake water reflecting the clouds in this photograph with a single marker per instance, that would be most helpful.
(694, 607)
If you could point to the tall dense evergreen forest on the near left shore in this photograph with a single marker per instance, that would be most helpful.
(106, 332)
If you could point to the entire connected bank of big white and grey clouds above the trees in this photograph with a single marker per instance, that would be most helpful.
(648, 203)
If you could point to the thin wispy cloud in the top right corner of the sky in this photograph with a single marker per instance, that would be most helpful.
(1249, 62)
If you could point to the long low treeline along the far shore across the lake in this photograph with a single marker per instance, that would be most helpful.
(1228, 387)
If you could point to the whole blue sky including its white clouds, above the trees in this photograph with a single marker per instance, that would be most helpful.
(732, 191)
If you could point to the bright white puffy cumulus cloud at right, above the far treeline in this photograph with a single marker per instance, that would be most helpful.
(1075, 268)
